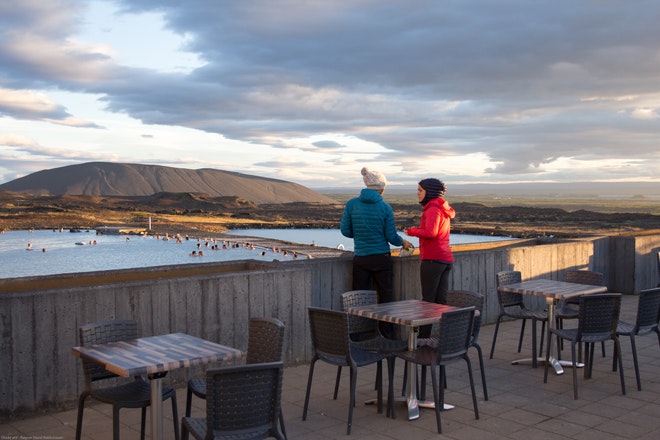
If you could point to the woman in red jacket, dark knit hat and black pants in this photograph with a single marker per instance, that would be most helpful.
(434, 249)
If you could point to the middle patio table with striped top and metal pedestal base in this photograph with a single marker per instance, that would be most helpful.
(410, 313)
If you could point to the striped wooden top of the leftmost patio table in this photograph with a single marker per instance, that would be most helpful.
(155, 354)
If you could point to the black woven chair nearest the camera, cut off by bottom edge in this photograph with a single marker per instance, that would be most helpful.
(242, 402)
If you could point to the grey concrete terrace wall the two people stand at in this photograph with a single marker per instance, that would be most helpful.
(39, 317)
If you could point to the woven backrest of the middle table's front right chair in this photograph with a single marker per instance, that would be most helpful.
(455, 332)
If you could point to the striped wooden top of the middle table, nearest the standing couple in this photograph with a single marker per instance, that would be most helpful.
(411, 312)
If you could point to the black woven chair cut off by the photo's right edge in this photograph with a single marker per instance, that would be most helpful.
(646, 322)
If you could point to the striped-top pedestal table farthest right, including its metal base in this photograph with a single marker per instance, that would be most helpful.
(553, 291)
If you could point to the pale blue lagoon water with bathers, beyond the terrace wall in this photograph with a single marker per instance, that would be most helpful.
(56, 252)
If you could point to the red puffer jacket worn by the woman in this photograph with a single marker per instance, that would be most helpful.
(433, 231)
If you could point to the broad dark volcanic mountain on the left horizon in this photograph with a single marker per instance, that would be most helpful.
(122, 179)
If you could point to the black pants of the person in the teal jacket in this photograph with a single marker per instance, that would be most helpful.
(376, 270)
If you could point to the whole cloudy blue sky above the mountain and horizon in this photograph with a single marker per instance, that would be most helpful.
(311, 91)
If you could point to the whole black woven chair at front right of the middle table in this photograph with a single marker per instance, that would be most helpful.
(455, 336)
